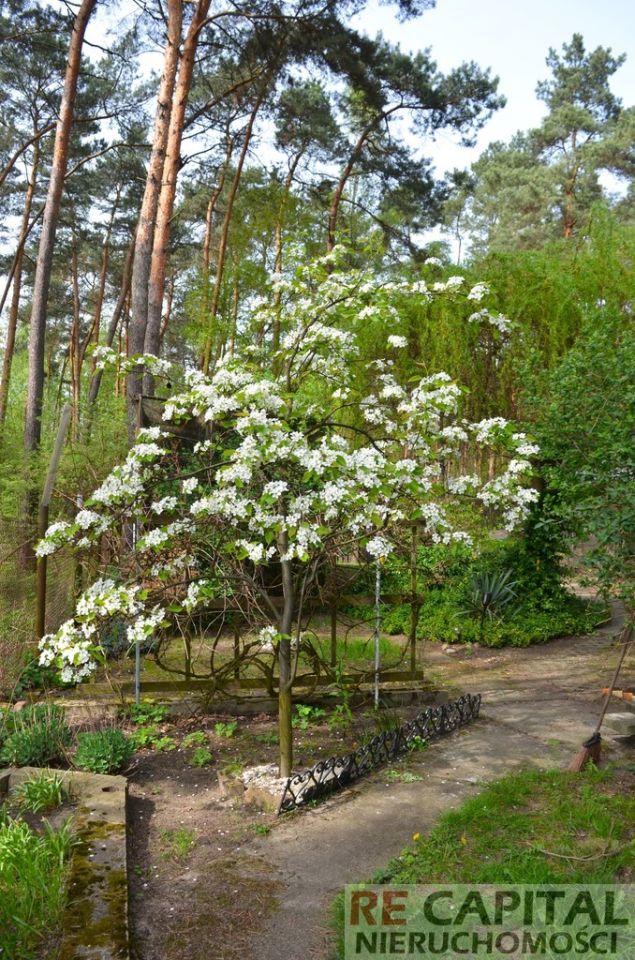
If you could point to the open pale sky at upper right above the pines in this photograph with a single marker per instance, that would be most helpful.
(513, 38)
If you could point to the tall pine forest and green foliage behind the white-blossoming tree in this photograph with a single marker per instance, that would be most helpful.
(157, 181)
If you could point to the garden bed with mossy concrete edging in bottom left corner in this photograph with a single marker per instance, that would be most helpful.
(66, 883)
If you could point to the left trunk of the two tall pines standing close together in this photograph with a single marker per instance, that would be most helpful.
(148, 213)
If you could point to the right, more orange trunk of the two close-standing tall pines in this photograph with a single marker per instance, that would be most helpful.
(165, 208)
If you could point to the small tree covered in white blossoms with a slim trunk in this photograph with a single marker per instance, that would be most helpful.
(296, 468)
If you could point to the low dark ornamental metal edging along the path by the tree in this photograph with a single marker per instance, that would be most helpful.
(336, 773)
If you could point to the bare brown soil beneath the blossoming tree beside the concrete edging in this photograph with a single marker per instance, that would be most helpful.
(207, 901)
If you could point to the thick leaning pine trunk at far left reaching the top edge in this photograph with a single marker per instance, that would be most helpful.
(44, 263)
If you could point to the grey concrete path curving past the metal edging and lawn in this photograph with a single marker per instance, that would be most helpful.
(538, 706)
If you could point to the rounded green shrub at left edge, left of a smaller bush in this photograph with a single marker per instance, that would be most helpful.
(36, 736)
